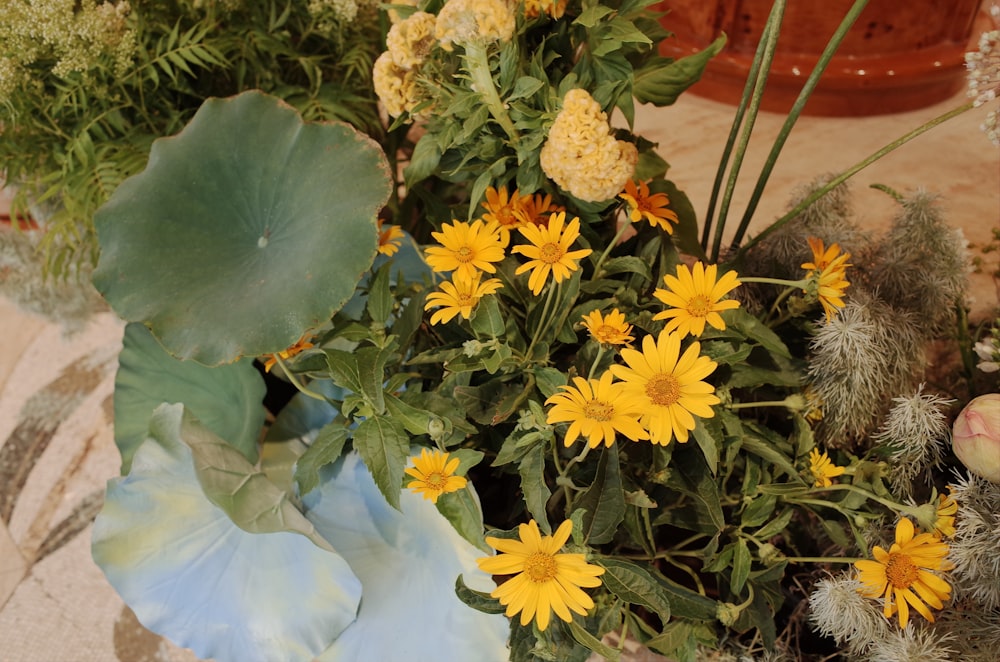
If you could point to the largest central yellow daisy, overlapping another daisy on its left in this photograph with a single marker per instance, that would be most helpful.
(668, 385)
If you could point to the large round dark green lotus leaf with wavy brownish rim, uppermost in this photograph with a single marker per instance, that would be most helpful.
(244, 231)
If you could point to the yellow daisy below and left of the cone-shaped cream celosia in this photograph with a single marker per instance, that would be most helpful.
(549, 252)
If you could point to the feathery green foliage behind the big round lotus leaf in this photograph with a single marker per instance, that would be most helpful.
(80, 110)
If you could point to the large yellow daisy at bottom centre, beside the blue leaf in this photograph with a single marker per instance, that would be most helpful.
(545, 580)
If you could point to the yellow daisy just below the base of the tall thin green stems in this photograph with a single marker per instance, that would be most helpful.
(695, 297)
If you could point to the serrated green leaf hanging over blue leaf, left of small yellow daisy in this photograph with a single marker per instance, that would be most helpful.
(384, 448)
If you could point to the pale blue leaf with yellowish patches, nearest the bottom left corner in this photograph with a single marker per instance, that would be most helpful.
(190, 574)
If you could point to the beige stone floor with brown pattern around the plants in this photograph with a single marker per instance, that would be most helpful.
(56, 447)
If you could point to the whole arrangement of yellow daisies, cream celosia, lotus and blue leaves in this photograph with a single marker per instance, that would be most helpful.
(533, 412)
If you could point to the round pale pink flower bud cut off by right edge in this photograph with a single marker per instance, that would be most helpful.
(976, 436)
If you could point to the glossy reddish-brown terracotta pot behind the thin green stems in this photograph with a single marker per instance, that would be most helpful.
(899, 55)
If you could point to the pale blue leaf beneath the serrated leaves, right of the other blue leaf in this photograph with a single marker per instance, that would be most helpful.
(408, 562)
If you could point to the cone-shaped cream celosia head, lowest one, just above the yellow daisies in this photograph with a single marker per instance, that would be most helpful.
(582, 156)
